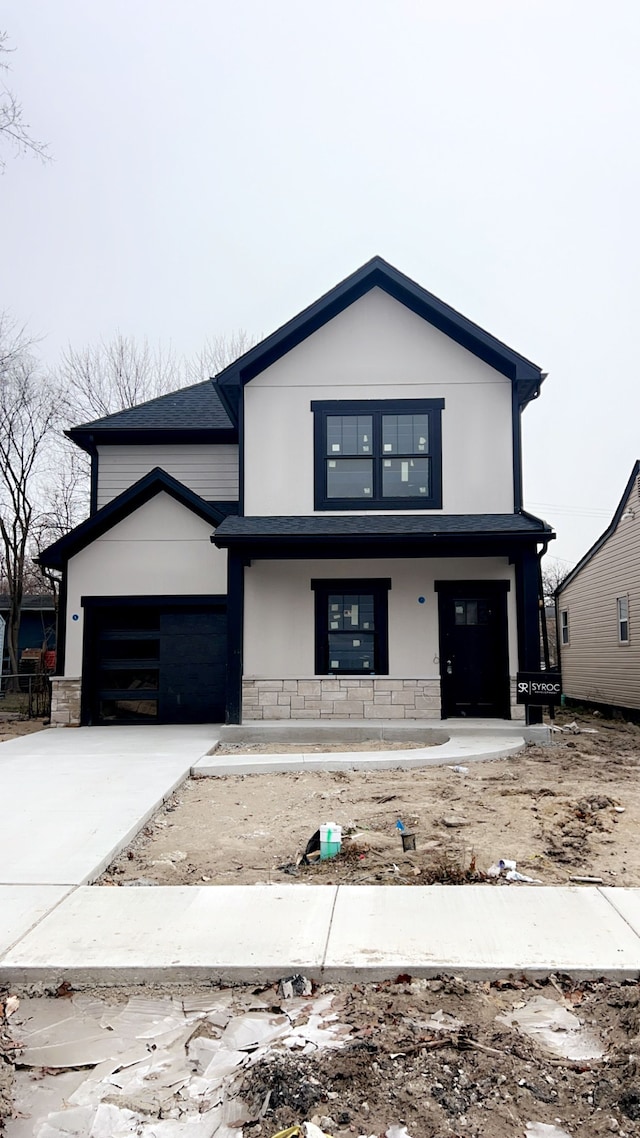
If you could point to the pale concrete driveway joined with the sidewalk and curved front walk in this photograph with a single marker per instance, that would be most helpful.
(72, 799)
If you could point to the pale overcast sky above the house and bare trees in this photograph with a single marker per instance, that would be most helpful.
(221, 166)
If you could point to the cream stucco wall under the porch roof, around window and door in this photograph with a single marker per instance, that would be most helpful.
(280, 612)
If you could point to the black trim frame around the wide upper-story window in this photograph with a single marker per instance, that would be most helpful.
(324, 408)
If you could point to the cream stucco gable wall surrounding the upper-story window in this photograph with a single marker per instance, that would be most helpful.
(379, 350)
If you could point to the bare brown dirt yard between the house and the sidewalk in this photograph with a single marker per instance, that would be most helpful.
(571, 810)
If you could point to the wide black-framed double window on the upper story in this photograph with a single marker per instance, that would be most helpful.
(379, 455)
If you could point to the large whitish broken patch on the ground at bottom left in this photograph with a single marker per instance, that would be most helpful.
(159, 1067)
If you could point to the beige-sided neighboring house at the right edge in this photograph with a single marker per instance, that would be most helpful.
(600, 613)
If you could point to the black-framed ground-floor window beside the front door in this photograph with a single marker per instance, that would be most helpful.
(351, 628)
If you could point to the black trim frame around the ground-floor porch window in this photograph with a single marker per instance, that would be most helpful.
(380, 589)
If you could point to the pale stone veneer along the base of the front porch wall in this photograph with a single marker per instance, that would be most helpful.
(338, 698)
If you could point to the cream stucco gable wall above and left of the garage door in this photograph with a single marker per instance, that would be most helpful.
(162, 549)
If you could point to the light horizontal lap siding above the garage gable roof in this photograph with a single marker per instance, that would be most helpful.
(211, 472)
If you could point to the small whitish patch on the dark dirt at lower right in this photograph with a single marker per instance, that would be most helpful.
(555, 1028)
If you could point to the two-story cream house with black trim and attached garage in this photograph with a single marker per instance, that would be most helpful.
(332, 530)
